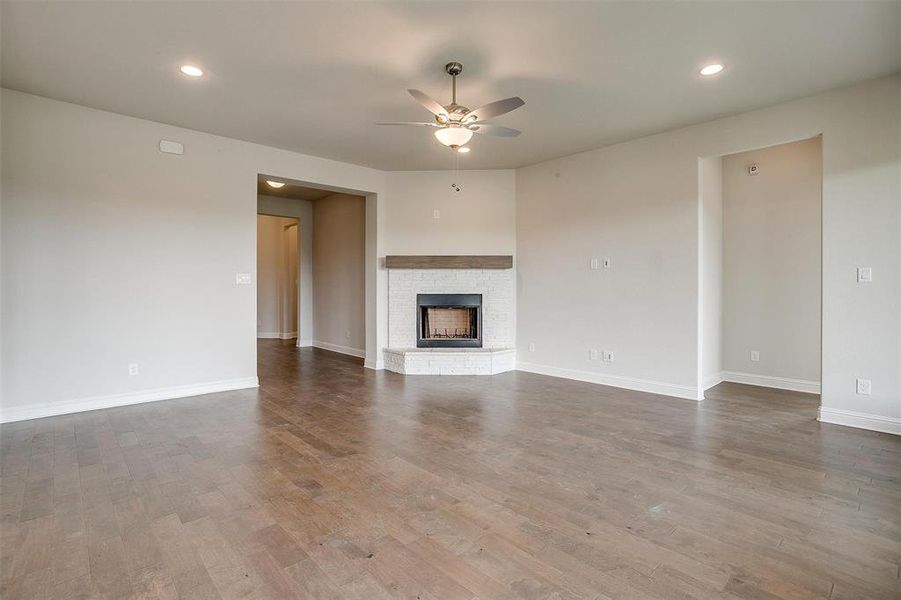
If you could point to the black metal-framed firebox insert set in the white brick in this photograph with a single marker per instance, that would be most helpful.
(448, 320)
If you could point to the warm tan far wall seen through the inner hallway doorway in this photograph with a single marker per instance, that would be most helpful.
(276, 277)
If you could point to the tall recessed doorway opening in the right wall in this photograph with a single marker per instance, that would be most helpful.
(760, 309)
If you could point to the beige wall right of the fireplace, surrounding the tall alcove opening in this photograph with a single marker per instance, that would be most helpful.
(637, 202)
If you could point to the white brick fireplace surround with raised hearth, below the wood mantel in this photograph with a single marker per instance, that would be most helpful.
(497, 353)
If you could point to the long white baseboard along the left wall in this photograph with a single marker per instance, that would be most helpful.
(113, 400)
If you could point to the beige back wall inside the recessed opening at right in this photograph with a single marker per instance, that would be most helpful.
(771, 261)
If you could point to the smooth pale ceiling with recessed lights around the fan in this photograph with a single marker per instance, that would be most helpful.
(315, 77)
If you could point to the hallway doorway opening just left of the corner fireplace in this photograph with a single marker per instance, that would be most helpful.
(322, 258)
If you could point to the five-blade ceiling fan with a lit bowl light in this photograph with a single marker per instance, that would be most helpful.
(455, 123)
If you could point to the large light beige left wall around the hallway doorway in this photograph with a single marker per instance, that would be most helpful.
(114, 253)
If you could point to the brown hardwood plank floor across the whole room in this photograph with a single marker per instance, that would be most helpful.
(332, 481)
